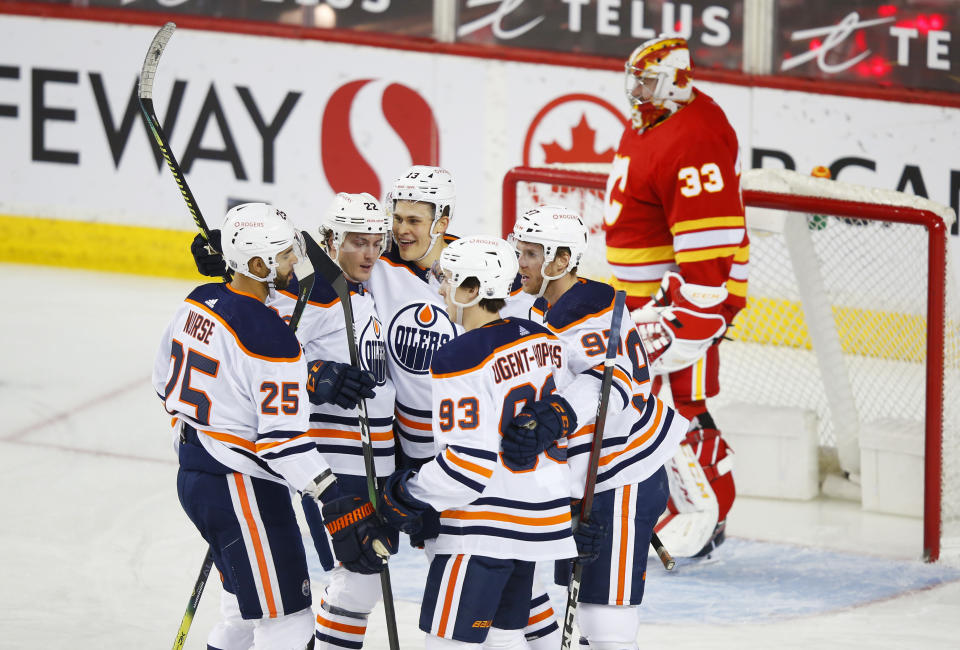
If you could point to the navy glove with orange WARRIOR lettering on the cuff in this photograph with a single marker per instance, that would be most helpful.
(356, 535)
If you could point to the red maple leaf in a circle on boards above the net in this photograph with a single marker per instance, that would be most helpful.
(575, 128)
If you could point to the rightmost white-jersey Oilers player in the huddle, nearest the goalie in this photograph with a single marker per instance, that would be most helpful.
(641, 432)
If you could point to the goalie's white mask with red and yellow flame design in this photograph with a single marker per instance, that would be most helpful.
(658, 80)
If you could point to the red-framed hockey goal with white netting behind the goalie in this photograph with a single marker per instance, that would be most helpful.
(852, 314)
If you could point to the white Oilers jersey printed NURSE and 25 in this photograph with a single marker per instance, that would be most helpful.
(235, 372)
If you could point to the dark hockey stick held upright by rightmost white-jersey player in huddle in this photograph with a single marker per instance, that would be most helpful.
(613, 342)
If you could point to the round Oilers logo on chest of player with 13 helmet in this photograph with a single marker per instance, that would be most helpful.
(416, 332)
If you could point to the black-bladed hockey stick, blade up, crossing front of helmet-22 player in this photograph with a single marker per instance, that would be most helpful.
(329, 271)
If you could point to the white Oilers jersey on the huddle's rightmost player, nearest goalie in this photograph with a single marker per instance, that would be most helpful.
(641, 432)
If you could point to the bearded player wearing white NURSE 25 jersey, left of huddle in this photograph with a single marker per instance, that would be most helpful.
(234, 377)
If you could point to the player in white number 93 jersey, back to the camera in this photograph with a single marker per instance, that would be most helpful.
(497, 519)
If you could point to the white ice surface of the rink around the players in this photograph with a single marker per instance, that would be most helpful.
(96, 552)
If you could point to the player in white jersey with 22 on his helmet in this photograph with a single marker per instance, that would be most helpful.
(354, 231)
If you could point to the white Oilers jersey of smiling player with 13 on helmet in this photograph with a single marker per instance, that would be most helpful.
(417, 324)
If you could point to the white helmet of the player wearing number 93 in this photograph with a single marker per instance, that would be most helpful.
(492, 261)
